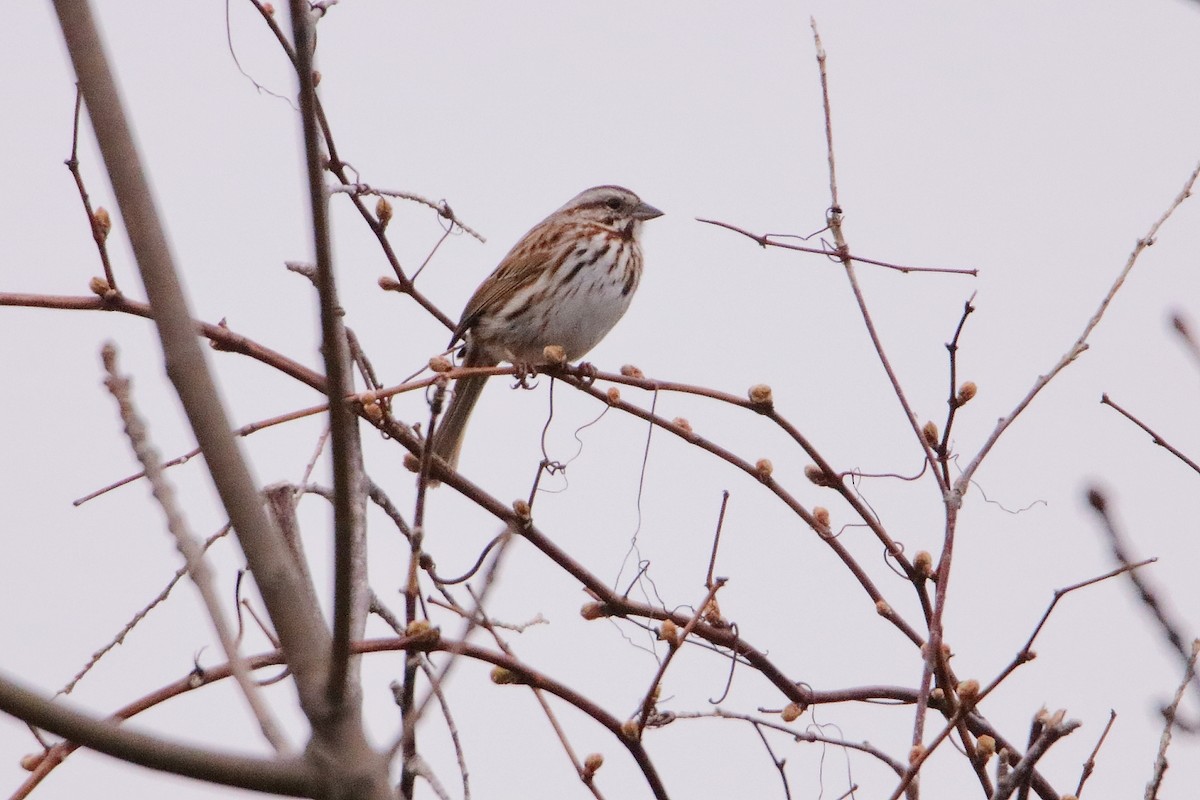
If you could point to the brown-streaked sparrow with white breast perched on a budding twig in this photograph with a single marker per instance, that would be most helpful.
(567, 282)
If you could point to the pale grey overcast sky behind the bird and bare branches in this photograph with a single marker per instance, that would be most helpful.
(1034, 142)
